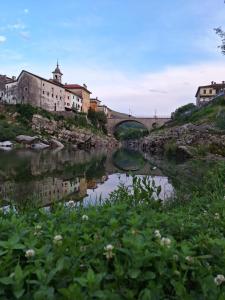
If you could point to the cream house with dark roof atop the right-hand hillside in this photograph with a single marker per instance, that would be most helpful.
(206, 93)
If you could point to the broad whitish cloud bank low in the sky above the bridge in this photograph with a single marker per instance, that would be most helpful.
(163, 91)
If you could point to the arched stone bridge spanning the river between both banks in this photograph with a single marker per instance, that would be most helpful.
(149, 123)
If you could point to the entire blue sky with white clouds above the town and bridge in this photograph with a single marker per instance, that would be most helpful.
(143, 57)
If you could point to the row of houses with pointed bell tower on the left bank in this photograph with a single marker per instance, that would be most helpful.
(51, 95)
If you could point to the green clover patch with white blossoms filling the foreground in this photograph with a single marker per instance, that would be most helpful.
(181, 261)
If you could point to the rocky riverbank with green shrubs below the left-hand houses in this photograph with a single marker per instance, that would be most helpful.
(33, 127)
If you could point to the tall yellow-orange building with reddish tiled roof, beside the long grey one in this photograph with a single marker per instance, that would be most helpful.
(82, 92)
